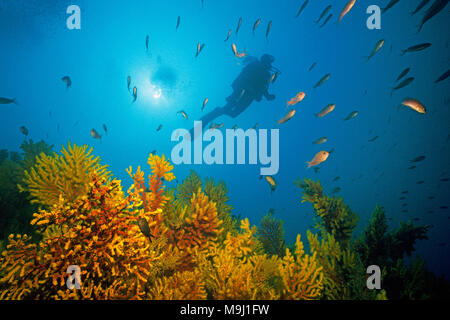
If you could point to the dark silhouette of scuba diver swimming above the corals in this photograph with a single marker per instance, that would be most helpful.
(251, 84)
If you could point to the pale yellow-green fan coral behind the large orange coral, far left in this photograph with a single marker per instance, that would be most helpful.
(68, 175)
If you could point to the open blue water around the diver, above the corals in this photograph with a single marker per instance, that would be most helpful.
(37, 50)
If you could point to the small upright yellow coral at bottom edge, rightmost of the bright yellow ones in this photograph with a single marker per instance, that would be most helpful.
(302, 275)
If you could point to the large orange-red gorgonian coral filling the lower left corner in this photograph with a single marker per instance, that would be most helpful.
(101, 236)
